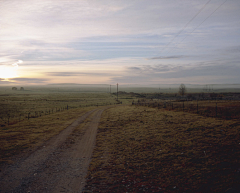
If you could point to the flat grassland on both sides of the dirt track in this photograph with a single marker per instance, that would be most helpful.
(139, 148)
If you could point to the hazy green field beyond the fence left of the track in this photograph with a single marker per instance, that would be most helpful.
(17, 106)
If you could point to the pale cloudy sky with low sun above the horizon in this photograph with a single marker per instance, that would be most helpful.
(119, 41)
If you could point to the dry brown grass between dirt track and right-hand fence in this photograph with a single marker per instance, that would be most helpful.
(141, 149)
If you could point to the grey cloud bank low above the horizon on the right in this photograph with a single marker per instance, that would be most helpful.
(207, 70)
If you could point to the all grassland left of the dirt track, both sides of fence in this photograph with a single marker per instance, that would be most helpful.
(27, 119)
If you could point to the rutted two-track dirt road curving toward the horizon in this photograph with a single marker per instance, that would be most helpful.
(60, 165)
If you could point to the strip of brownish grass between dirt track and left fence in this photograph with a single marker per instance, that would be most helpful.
(29, 134)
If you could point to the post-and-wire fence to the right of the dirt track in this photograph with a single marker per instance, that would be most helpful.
(208, 109)
